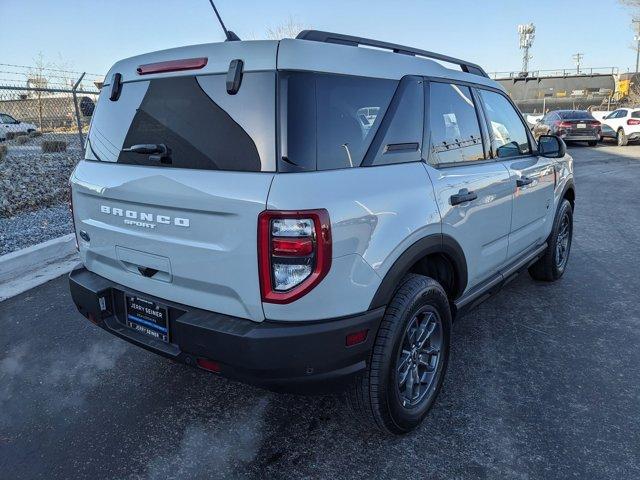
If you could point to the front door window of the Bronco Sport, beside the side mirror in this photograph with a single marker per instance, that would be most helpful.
(508, 134)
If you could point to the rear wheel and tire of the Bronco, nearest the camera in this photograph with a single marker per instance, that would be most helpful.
(386, 395)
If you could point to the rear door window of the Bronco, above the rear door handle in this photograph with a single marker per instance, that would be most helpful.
(453, 124)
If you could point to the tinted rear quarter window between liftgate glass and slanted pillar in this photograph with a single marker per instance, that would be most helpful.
(329, 120)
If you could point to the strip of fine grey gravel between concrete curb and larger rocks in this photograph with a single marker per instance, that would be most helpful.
(32, 228)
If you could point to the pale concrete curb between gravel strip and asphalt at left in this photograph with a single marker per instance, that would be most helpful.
(32, 266)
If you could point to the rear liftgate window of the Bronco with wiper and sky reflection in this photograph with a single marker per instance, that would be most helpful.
(201, 125)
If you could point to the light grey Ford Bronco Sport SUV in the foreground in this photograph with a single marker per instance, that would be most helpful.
(310, 235)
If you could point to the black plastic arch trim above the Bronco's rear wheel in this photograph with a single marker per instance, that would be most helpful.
(437, 243)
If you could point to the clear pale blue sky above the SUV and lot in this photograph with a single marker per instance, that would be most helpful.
(90, 35)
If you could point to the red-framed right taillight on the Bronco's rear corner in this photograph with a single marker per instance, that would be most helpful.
(294, 253)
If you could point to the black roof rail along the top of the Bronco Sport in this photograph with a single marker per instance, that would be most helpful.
(328, 37)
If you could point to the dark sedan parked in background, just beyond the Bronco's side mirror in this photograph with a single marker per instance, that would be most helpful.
(570, 125)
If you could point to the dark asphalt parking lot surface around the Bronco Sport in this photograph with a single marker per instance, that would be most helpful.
(544, 382)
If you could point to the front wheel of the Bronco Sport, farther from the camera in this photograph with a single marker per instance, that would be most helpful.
(553, 263)
